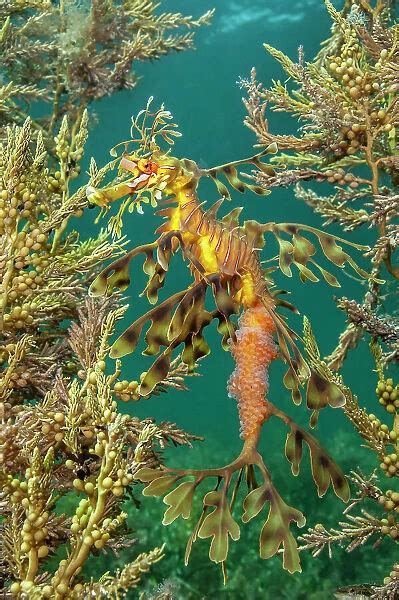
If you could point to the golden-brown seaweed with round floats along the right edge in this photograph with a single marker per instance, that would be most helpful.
(347, 103)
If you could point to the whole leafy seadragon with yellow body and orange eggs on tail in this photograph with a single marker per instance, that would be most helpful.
(223, 256)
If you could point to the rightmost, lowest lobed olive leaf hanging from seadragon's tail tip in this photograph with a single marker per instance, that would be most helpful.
(276, 532)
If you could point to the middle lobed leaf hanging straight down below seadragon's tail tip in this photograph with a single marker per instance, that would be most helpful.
(219, 525)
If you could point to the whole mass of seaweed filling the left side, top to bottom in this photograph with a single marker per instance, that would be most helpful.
(62, 441)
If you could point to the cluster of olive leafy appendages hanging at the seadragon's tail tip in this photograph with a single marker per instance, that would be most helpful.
(219, 524)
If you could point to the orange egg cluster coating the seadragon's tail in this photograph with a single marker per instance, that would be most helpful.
(253, 352)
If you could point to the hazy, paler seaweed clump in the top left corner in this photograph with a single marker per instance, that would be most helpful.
(63, 55)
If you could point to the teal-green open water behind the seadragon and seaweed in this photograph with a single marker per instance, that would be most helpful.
(200, 89)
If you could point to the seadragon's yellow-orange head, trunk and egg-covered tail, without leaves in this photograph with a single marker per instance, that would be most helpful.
(216, 250)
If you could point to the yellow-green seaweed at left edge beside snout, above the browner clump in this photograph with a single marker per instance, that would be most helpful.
(43, 270)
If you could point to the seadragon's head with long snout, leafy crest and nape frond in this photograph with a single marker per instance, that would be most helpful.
(148, 172)
